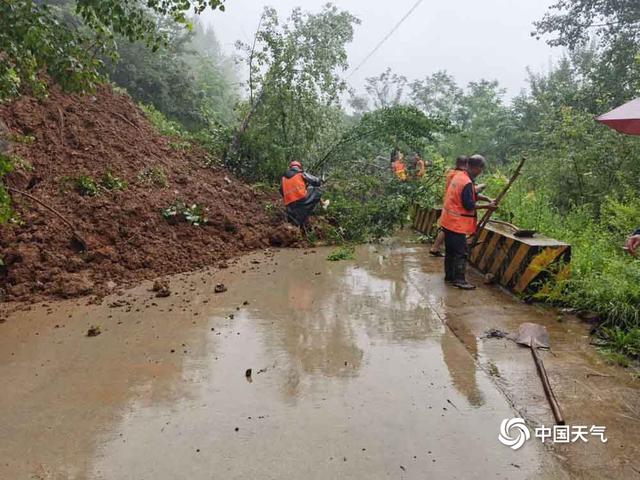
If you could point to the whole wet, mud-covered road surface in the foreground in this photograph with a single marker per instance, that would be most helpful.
(361, 369)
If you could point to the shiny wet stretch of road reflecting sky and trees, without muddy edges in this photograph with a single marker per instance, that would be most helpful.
(358, 375)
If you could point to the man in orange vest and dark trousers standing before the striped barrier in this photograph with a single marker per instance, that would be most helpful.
(459, 219)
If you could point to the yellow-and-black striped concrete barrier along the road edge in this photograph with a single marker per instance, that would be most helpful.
(514, 262)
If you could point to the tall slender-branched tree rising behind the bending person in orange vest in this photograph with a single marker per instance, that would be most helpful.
(294, 89)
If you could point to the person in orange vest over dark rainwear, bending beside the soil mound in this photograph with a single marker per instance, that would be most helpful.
(301, 193)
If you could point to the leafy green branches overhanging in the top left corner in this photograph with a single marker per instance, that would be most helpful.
(49, 36)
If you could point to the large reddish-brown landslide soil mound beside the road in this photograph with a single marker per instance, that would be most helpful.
(128, 238)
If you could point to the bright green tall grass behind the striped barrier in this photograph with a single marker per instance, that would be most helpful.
(604, 279)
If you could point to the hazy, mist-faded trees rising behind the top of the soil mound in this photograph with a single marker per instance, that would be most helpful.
(189, 80)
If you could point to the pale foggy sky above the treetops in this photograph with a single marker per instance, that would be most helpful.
(471, 39)
